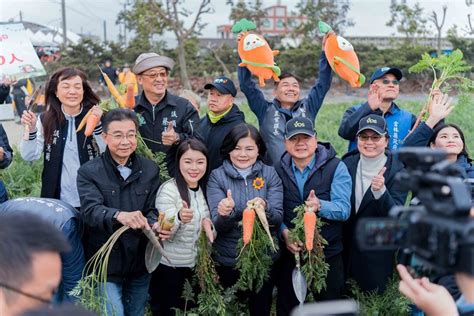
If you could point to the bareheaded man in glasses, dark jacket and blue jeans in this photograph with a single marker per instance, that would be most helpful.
(117, 189)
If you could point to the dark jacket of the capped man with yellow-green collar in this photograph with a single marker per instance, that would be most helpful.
(213, 134)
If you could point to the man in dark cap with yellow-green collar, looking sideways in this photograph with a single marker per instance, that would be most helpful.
(221, 117)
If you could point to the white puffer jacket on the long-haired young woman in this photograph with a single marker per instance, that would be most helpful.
(182, 246)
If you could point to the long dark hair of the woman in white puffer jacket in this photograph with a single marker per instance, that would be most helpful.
(194, 144)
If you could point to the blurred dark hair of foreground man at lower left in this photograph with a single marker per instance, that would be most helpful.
(23, 235)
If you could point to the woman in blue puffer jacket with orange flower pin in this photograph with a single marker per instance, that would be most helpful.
(229, 189)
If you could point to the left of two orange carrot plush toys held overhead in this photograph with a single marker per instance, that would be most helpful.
(255, 53)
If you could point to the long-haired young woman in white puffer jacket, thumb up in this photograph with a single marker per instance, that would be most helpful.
(183, 199)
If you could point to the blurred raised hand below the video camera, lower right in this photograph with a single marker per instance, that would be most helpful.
(432, 298)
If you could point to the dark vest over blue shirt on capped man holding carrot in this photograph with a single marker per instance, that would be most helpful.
(319, 180)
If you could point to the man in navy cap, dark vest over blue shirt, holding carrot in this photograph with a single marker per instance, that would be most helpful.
(312, 174)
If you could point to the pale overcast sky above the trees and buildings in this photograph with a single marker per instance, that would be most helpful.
(87, 16)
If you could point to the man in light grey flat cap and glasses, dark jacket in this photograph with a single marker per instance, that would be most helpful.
(165, 119)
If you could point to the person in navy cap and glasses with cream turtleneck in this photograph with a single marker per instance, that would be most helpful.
(374, 192)
